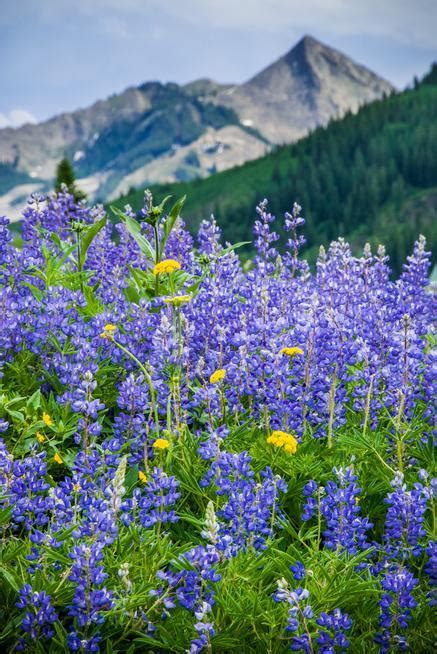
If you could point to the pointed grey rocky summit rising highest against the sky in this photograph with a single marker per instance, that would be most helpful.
(306, 87)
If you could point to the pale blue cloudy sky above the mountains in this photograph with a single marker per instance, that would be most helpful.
(59, 55)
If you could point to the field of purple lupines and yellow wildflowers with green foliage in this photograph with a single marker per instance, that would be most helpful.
(204, 455)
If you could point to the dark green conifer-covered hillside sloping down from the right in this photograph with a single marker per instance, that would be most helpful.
(369, 176)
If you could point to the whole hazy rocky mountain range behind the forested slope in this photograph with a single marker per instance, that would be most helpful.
(168, 132)
